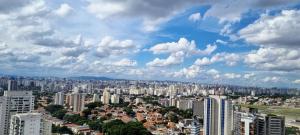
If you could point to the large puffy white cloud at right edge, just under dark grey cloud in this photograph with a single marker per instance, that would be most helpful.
(275, 30)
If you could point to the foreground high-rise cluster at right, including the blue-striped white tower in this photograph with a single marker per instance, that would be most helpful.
(221, 117)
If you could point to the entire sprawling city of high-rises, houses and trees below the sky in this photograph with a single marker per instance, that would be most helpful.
(34, 105)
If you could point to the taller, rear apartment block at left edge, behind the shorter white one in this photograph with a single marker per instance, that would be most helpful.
(13, 102)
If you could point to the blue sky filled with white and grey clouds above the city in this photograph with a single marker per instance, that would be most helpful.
(249, 42)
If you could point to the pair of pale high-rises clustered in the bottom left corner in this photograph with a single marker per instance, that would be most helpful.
(17, 117)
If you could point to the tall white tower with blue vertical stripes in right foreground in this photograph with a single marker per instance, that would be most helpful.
(217, 115)
